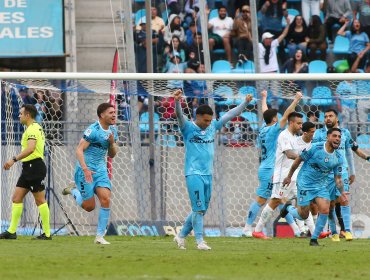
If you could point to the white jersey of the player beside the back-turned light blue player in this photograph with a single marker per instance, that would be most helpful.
(286, 141)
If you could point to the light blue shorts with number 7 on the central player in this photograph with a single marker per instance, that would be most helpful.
(200, 190)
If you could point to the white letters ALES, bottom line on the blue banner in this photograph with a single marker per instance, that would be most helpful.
(30, 32)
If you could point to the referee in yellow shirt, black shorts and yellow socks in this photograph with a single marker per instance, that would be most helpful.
(32, 176)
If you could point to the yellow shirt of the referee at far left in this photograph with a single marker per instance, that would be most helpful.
(34, 131)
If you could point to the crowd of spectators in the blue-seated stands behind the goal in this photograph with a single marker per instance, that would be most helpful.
(288, 41)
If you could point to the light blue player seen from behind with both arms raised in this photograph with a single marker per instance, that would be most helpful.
(267, 142)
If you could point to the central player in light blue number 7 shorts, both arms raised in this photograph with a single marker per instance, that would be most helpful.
(199, 138)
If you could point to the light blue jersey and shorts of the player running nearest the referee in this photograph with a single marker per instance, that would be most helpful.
(95, 158)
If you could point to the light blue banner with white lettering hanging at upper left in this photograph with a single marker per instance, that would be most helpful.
(31, 28)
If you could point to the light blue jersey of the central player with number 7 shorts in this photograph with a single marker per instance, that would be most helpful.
(199, 147)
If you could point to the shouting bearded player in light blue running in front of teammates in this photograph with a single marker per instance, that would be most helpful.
(320, 161)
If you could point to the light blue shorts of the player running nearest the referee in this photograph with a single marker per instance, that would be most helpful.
(87, 190)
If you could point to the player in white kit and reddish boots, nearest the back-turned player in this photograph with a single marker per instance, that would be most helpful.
(285, 154)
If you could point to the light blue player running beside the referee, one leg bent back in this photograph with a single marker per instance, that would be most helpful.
(91, 173)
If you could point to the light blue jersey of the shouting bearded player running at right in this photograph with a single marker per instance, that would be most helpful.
(317, 166)
